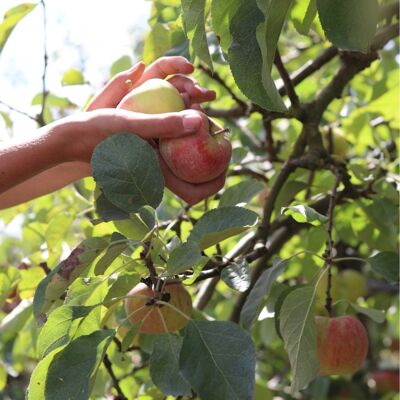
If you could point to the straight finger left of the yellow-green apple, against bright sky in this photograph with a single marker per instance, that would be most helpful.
(116, 88)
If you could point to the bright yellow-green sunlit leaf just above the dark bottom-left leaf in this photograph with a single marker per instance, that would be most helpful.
(58, 329)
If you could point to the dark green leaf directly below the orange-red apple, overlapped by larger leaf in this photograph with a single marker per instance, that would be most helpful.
(164, 366)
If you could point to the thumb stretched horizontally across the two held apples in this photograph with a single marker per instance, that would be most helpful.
(149, 126)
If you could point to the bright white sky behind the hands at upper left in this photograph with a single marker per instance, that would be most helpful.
(88, 34)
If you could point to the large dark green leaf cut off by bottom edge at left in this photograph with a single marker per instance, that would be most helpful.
(71, 370)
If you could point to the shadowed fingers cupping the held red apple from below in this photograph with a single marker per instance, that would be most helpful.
(190, 192)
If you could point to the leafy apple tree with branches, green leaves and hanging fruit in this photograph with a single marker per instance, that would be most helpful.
(119, 289)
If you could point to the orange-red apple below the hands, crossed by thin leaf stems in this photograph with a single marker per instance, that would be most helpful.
(149, 315)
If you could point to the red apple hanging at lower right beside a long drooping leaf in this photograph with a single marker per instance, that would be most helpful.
(342, 344)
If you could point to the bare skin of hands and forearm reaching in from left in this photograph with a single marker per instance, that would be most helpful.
(60, 153)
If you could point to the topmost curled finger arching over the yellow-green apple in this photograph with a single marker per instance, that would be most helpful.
(165, 66)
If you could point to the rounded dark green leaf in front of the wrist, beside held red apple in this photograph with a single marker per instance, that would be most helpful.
(127, 169)
